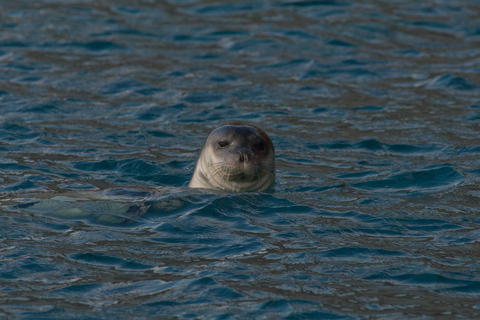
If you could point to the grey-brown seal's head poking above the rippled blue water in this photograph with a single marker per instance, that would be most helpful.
(236, 158)
